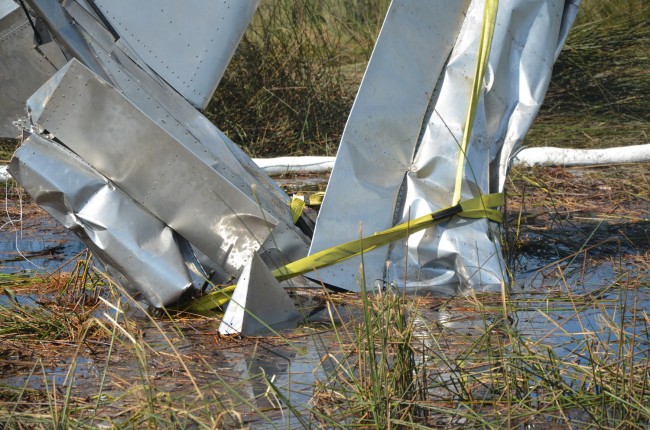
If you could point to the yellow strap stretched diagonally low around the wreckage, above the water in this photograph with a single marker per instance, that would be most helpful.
(478, 207)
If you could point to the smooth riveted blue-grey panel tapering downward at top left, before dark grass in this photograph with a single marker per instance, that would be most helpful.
(189, 44)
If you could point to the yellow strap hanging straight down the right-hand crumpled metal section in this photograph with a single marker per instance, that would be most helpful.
(487, 30)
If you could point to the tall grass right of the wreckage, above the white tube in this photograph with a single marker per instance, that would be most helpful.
(597, 94)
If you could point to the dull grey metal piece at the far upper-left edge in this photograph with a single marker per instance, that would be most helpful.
(23, 67)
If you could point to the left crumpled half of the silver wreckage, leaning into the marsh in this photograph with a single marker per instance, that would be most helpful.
(117, 151)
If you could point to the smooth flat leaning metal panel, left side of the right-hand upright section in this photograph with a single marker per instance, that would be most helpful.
(382, 131)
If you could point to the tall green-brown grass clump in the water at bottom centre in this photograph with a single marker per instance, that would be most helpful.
(375, 381)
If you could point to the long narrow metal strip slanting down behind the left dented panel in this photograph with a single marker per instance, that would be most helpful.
(82, 35)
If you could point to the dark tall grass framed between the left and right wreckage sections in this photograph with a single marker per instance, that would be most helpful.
(293, 78)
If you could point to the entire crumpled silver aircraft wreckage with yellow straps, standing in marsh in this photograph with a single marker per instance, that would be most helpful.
(116, 149)
